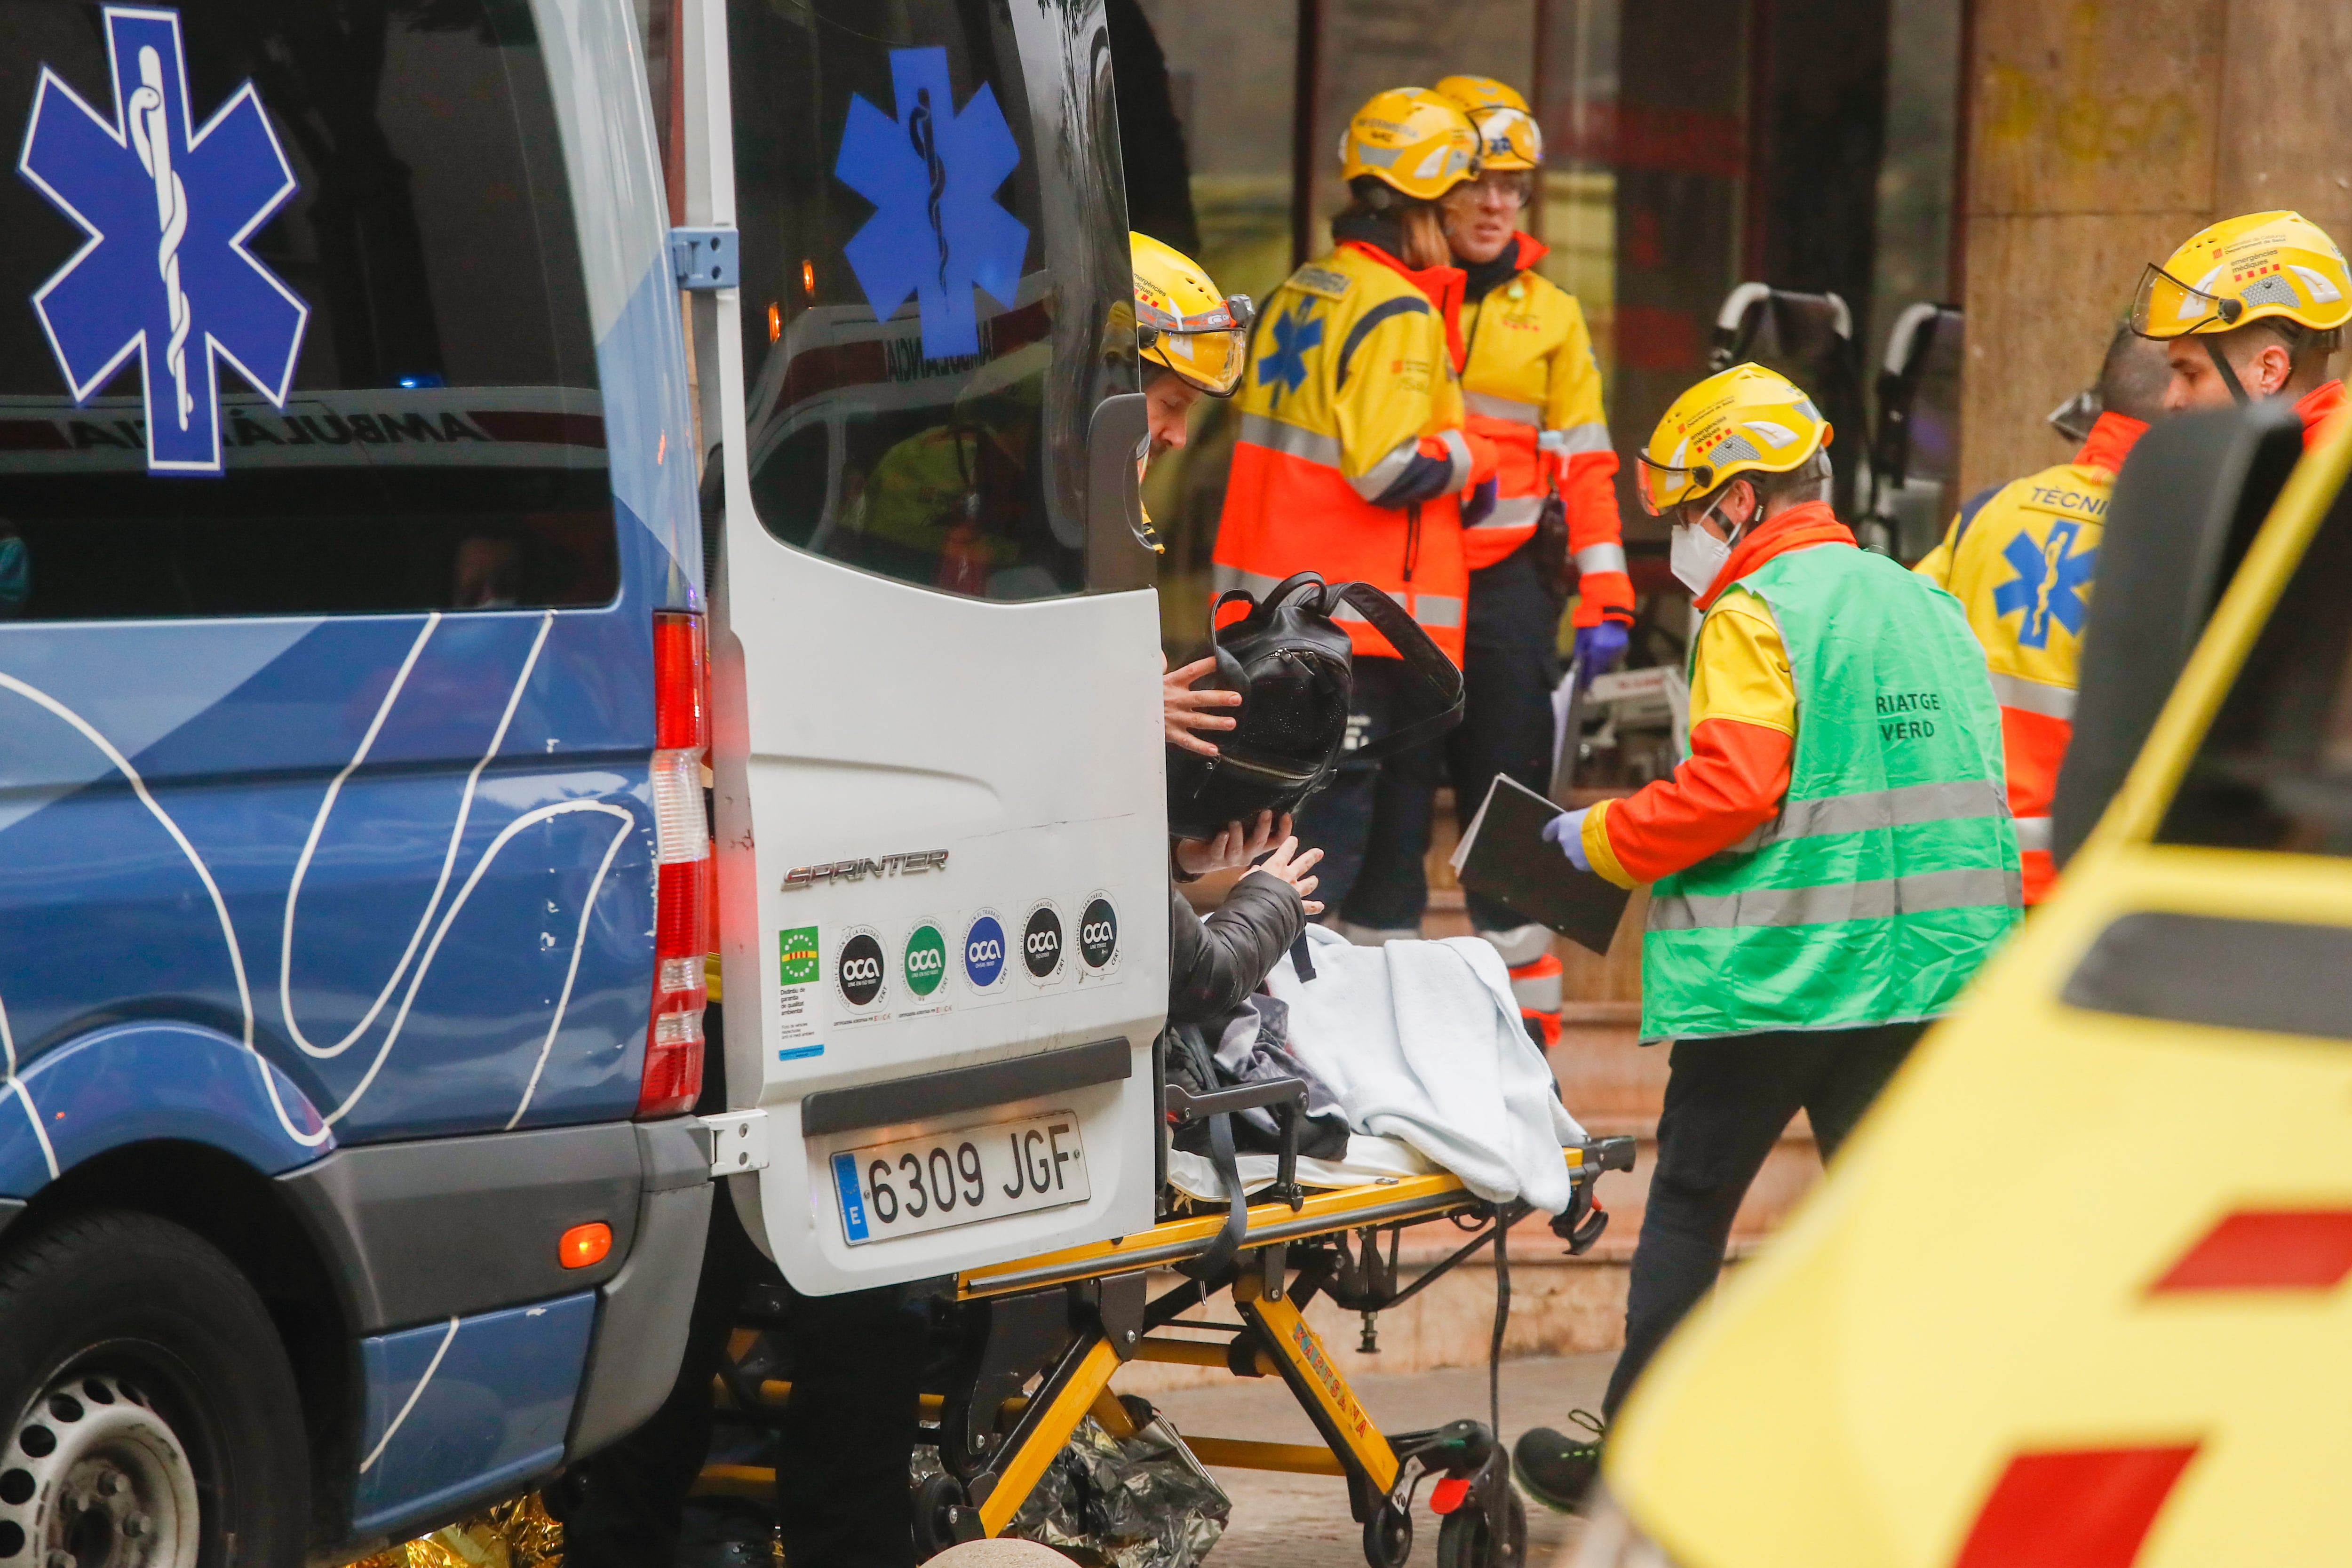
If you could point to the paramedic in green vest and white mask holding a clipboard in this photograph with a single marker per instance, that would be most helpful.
(1831, 862)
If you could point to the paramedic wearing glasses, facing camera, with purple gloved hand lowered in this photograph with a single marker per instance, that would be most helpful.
(1535, 391)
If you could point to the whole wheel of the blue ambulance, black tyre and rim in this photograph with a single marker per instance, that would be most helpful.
(154, 1419)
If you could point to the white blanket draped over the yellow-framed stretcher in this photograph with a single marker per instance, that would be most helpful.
(1424, 1043)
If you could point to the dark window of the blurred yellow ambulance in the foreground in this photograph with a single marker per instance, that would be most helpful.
(2276, 770)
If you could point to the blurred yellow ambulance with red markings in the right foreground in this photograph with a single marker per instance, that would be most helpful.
(2076, 1294)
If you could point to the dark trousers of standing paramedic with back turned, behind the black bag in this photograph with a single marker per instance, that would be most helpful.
(1372, 822)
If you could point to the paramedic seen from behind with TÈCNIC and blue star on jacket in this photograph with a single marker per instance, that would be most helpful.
(2022, 561)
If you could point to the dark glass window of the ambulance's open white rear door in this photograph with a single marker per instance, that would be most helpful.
(916, 377)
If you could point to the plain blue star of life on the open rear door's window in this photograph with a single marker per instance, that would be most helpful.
(933, 177)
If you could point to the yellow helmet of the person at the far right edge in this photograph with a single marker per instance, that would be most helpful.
(2243, 272)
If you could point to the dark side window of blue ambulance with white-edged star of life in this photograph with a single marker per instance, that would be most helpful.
(417, 300)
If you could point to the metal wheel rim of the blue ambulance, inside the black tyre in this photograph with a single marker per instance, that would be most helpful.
(93, 1477)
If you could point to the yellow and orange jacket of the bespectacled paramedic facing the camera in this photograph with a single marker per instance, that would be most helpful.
(1535, 391)
